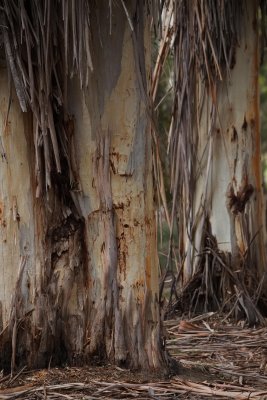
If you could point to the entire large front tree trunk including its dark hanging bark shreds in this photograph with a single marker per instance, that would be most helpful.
(90, 282)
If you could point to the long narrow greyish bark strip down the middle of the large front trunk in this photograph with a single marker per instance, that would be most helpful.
(108, 316)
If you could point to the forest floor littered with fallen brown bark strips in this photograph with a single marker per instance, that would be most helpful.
(218, 359)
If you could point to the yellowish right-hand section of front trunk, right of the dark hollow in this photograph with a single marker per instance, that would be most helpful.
(118, 210)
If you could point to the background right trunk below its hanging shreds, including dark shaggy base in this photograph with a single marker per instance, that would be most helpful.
(221, 216)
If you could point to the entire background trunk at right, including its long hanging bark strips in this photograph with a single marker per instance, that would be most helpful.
(215, 153)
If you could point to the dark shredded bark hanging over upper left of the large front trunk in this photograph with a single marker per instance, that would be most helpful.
(46, 44)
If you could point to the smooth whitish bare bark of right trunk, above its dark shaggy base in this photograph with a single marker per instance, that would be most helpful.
(227, 141)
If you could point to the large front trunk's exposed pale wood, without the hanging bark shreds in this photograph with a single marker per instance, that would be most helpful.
(82, 262)
